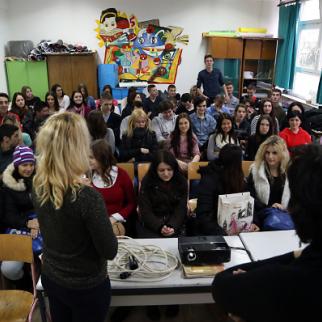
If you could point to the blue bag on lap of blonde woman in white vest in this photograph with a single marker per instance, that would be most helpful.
(277, 219)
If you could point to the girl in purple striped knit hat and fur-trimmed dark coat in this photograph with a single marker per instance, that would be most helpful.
(18, 206)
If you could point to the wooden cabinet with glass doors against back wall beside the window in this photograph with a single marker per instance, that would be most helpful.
(255, 58)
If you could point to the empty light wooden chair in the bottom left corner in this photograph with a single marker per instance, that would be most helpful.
(17, 305)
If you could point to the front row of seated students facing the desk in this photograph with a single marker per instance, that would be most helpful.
(162, 197)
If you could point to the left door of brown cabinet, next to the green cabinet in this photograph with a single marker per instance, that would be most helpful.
(60, 72)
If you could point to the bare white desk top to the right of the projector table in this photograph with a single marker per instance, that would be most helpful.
(262, 245)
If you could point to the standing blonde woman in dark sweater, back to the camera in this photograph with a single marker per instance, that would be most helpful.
(78, 237)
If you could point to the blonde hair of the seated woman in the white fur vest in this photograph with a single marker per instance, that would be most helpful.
(281, 148)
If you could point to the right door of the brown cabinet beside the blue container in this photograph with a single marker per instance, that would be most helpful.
(84, 70)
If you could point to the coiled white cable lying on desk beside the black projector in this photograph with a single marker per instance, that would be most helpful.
(154, 263)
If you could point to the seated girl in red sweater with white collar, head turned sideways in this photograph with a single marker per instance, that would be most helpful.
(112, 182)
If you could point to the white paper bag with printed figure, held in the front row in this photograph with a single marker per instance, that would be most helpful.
(235, 212)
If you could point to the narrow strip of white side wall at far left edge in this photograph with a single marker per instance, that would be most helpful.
(3, 39)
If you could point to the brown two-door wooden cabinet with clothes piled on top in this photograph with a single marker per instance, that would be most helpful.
(69, 70)
